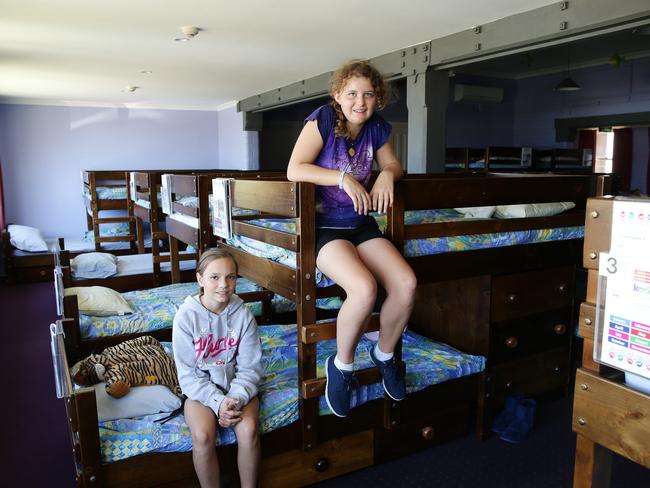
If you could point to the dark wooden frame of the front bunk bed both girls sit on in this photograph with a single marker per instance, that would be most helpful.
(316, 448)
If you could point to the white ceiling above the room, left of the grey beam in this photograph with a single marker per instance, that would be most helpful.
(83, 52)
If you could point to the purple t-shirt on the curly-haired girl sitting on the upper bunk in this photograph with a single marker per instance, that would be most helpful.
(334, 208)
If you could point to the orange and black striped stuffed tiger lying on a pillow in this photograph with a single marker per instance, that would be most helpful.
(140, 361)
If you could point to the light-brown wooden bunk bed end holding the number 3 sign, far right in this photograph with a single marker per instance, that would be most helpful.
(607, 415)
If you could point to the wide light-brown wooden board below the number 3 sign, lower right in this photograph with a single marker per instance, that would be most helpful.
(613, 416)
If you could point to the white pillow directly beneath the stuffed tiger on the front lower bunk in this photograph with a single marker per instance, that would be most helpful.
(139, 401)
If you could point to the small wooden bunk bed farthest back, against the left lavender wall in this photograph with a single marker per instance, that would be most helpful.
(94, 184)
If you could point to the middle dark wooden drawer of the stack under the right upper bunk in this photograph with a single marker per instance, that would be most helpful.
(513, 339)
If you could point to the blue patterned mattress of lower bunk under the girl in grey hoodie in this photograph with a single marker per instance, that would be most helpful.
(427, 363)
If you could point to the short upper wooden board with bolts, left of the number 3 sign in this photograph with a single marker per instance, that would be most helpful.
(598, 224)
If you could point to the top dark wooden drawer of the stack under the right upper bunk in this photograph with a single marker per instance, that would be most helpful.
(522, 294)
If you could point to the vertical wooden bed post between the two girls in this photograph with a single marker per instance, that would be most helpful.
(306, 306)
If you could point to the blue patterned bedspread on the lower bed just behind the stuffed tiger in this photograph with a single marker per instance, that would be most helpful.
(155, 308)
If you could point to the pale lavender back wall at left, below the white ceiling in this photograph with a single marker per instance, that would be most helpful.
(43, 149)
